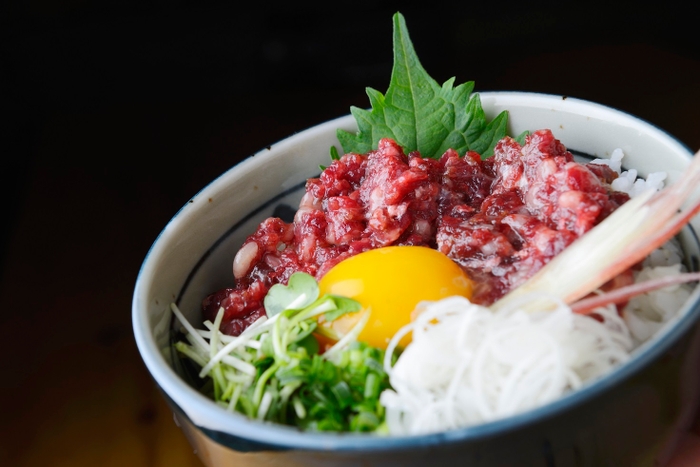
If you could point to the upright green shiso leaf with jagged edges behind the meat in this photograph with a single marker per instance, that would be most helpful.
(421, 115)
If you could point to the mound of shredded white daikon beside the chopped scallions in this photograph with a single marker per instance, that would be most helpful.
(468, 364)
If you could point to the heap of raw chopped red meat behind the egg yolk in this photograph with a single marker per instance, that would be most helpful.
(501, 219)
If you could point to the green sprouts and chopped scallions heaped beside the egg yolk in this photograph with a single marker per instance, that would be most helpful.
(273, 370)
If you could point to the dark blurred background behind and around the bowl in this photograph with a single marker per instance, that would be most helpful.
(118, 111)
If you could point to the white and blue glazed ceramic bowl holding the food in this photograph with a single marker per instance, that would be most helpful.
(631, 417)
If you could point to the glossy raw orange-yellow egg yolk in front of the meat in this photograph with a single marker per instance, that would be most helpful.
(389, 282)
